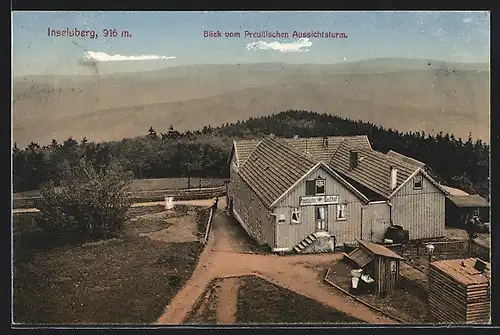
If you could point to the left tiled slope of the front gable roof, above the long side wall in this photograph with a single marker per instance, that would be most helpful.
(272, 168)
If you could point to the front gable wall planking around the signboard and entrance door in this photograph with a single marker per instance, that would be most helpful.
(290, 234)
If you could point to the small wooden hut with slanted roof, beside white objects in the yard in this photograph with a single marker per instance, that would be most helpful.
(381, 263)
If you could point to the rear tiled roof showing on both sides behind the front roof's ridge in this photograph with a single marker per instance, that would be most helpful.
(311, 146)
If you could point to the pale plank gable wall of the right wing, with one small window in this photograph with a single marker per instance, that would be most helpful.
(421, 212)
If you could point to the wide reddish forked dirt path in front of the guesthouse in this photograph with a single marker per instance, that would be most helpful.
(224, 257)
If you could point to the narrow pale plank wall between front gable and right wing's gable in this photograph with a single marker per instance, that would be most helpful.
(376, 220)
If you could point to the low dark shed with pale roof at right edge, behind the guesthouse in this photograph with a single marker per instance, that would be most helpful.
(461, 206)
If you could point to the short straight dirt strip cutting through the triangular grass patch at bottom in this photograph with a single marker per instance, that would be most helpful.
(227, 297)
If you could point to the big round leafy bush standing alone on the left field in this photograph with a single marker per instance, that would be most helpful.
(87, 204)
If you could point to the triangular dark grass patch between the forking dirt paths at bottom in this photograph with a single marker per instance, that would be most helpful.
(260, 302)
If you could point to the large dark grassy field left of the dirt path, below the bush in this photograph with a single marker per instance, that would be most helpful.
(129, 279)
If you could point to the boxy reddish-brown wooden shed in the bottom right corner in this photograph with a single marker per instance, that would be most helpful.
(459, 291)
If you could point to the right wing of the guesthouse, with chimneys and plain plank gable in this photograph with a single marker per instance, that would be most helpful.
(400, 193)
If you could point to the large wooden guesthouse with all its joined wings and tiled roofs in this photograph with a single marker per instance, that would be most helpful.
(288, 192)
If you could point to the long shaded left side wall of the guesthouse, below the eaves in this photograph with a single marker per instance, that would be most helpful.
(248, 208)
